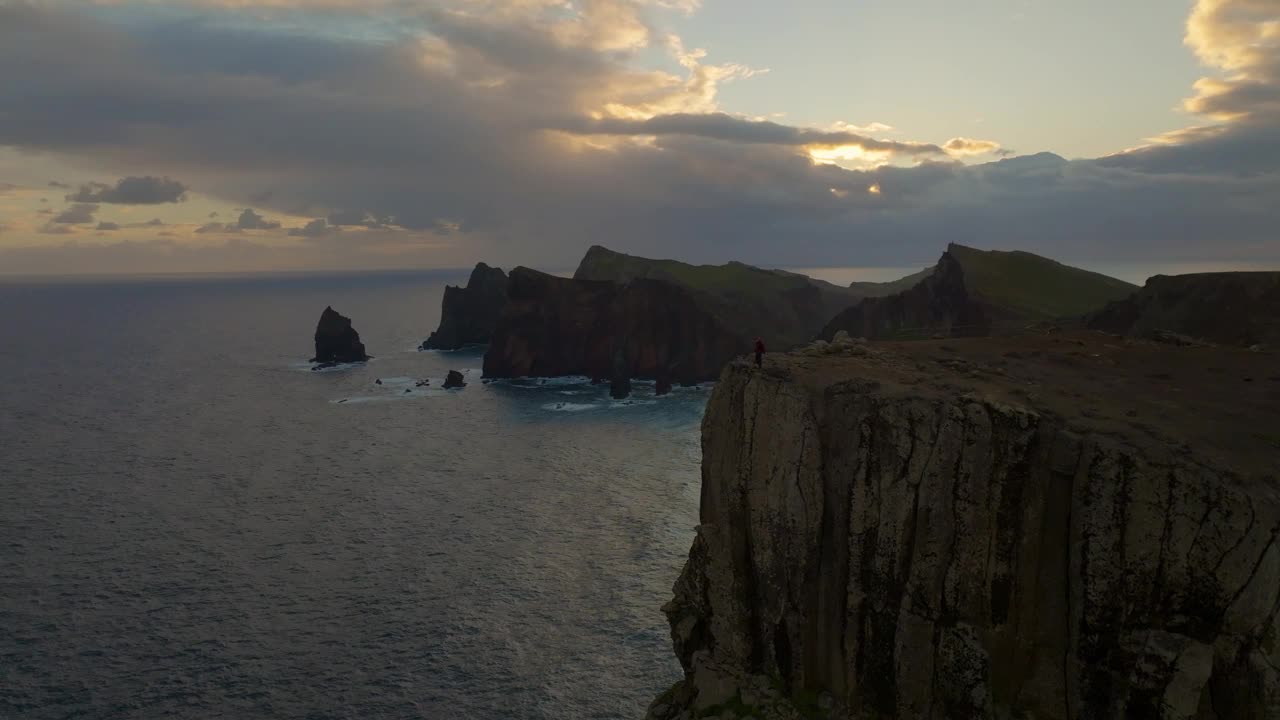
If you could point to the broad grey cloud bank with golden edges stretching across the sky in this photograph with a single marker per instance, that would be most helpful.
(483, 134)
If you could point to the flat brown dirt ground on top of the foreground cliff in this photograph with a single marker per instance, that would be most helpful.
(1218, 404)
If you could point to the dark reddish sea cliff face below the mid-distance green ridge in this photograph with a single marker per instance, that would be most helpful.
(642, 330)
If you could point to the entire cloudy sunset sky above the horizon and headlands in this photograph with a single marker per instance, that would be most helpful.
(139, 136)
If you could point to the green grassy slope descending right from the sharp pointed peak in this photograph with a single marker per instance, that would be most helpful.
(1034, 288)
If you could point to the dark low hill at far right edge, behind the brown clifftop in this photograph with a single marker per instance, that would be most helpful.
(1224, 308)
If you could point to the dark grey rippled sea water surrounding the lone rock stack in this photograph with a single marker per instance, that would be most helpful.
(195, 525)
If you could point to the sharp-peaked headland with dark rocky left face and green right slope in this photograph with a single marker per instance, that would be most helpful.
(979, 293)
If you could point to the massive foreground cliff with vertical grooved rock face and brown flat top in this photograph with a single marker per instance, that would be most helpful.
(986, 530)
